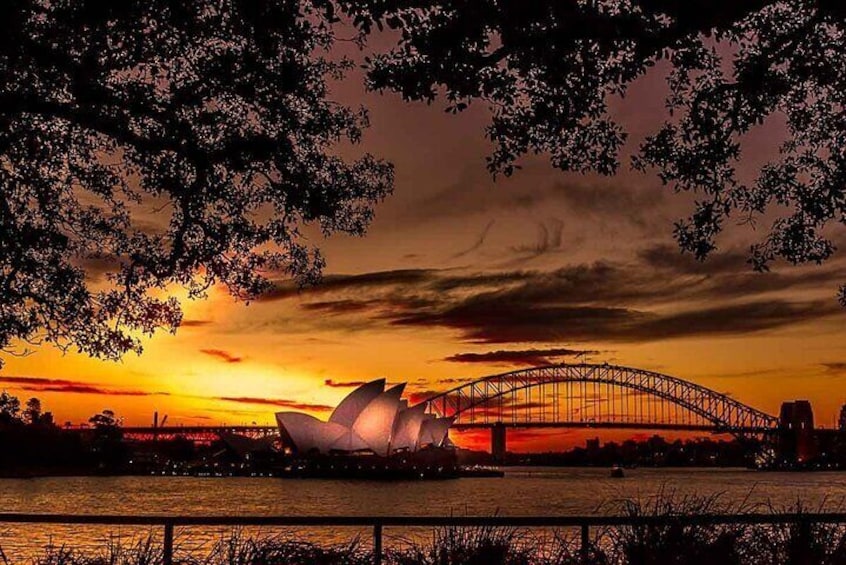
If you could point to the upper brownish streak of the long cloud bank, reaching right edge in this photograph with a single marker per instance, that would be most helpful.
(662, 275)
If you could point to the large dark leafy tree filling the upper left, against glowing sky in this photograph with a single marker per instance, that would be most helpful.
(151, 145)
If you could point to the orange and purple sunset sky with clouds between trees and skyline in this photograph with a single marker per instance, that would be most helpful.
(461, 276)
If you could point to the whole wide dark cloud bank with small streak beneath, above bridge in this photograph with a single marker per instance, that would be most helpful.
(662, 295)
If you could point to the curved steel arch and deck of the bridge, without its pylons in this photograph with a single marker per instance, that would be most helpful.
(485, 402)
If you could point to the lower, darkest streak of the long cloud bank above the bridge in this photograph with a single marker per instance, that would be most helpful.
(543, 315)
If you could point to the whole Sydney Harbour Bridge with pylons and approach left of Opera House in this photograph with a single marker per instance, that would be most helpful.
(582, 395)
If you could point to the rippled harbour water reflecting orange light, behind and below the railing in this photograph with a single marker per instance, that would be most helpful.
(523, 491)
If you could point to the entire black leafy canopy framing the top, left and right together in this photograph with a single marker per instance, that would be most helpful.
(162, 144)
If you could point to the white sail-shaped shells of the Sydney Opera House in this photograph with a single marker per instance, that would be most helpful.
(369, 419)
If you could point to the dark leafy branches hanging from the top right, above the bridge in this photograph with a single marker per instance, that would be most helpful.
(548, 68)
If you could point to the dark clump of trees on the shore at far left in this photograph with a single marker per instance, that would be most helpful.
(32, 443)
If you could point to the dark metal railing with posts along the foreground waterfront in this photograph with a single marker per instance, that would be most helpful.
(804, 522)
